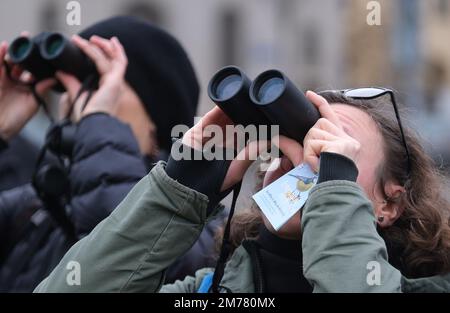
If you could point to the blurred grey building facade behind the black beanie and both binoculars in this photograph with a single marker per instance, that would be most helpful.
(292, 35)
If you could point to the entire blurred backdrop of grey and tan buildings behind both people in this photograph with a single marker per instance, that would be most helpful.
(320, 44)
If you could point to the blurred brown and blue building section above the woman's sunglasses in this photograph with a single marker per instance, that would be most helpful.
(388, 54)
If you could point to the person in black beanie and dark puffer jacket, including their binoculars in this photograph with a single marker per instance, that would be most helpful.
(120, 101)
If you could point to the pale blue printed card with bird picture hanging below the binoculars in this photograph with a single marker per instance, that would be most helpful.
(286, 196)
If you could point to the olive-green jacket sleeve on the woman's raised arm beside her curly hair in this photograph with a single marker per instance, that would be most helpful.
(342, 251)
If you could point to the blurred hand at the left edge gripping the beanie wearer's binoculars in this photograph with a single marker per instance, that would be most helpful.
(17, 103)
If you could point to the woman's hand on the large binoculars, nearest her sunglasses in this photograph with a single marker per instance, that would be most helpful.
(327, 135)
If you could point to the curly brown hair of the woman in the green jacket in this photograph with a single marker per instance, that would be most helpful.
(419, 241)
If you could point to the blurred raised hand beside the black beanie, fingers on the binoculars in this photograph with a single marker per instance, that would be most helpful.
(111, 62)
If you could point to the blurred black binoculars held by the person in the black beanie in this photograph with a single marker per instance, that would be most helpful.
(49, 52)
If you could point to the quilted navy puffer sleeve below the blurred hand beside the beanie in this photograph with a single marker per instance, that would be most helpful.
(106, 164)
